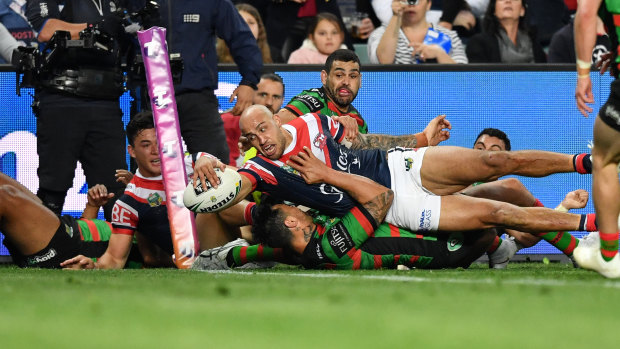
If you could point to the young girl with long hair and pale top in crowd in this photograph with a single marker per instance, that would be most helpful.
(325, 35)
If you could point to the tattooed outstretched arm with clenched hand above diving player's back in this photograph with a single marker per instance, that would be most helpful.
(435, 132)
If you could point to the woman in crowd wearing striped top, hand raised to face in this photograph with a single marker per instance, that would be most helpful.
(401, 41)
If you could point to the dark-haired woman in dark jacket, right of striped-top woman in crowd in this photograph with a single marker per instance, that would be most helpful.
(505, 37)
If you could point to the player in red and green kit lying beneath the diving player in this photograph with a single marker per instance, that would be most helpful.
(355, 241)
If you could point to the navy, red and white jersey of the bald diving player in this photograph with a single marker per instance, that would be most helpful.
(322, 135)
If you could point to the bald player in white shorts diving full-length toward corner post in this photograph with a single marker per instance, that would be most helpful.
(422, 188)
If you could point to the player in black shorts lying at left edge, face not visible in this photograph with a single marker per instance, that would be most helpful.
(36, 237)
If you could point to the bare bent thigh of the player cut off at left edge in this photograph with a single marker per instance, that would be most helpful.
(23, 219)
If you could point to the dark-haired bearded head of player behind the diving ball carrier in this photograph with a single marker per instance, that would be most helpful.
(341, 77)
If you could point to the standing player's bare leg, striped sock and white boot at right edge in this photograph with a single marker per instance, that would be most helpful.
(606, 192)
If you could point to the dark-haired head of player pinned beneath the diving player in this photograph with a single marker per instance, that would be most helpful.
(280, 225)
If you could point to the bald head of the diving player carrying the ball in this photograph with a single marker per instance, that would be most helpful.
(263, 131)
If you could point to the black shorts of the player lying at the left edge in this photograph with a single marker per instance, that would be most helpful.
(64, 244)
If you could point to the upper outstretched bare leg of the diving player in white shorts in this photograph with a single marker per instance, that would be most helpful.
(447, 170)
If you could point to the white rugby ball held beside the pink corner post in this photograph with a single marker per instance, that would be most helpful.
(210, 199)
